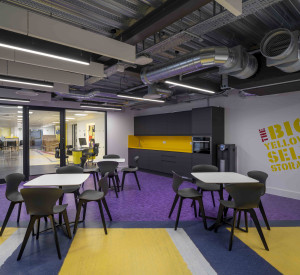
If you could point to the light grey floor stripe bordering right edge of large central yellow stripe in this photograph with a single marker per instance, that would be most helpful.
(196, 262)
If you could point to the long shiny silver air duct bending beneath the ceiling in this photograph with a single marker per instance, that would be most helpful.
(233, 61)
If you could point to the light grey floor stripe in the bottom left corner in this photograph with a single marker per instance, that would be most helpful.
(11, 244)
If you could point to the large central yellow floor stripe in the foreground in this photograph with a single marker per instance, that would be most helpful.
(123, 251)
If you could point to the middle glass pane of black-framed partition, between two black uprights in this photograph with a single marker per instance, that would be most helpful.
(45, 148)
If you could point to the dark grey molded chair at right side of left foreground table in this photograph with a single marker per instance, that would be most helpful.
(92, 195)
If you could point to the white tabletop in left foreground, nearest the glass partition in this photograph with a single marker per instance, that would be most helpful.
(58, 180)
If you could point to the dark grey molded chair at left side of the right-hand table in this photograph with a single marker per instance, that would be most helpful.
(186, 193)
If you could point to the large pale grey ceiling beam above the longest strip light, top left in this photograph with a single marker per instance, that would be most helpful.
(48, 29)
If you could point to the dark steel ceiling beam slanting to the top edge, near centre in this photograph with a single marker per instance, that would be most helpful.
(163, 16)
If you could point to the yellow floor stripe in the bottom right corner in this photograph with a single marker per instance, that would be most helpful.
(284, 245)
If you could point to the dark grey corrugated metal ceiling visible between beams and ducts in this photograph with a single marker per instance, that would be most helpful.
(208, 26)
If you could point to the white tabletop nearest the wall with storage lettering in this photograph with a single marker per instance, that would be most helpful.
(222, 177)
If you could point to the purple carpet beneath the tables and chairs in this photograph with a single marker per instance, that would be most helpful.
(154, 201)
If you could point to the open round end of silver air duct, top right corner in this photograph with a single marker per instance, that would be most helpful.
(281, 49)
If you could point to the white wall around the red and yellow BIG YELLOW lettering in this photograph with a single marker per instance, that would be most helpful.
(243, 118)
